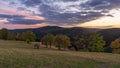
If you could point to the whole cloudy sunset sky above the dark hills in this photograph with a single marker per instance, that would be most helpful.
(21, 14)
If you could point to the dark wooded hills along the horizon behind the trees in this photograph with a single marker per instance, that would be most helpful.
(109, 35)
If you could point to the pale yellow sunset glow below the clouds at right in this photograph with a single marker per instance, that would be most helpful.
(112, 21)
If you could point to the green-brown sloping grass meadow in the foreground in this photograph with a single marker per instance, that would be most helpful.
(21, 55)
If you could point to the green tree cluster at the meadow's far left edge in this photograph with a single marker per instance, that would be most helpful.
(27, 36)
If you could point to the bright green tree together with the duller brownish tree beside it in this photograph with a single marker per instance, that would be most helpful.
(91, 42)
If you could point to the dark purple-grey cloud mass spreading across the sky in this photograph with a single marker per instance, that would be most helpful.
(67, 11)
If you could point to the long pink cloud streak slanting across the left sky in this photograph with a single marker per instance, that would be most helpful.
(27, 16)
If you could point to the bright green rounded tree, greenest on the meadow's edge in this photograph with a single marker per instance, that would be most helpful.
(96, 43)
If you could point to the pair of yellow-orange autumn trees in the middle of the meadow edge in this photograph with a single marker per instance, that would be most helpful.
(60, 41)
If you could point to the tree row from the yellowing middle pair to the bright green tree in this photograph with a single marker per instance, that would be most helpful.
(87, 42)
